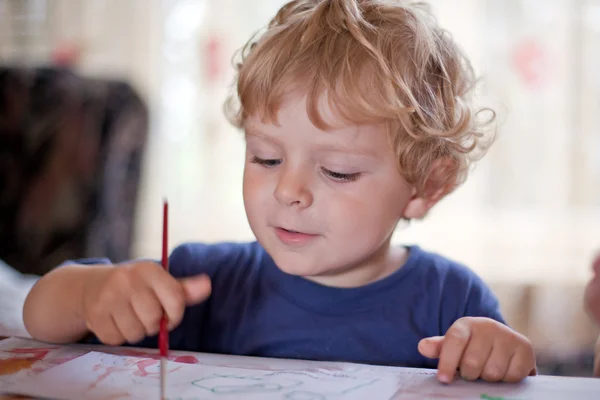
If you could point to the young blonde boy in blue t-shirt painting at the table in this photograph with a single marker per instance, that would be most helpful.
(356, 116)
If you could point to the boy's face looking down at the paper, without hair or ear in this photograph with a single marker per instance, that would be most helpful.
(324, 204)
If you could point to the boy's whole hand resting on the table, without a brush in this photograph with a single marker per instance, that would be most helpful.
(481, 348)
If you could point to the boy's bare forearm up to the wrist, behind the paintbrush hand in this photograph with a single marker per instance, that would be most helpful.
(53, 309)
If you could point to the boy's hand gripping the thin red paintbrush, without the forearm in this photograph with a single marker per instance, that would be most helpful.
(126, 303)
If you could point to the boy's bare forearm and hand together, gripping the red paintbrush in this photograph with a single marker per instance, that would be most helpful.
(118, 304)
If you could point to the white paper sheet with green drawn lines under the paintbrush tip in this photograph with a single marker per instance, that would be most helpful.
(101, 376)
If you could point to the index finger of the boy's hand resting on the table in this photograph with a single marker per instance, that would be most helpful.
(455, 342)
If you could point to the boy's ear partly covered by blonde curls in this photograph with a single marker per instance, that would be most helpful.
(440, 181)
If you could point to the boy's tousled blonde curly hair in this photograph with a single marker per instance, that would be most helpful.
(374, 61)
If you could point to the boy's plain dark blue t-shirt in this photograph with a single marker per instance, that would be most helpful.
(258, 310)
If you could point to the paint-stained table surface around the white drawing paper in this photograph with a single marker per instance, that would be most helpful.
(46, 356)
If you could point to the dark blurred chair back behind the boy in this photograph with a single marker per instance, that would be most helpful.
(70, 161)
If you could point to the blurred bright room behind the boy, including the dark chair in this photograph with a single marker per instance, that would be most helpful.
(108, 106)
